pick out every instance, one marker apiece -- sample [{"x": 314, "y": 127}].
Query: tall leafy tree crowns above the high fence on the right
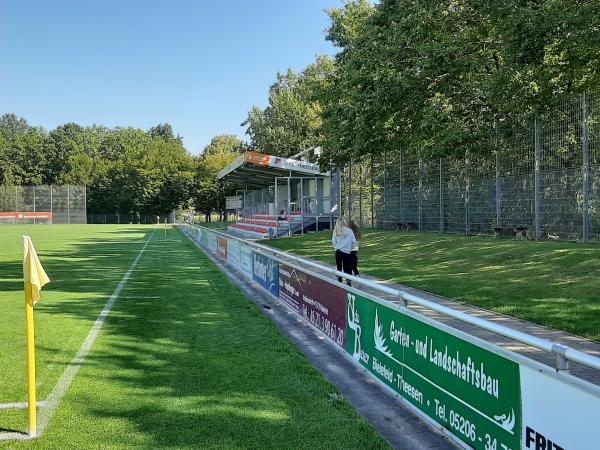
[{"x": 430, "y": 75}]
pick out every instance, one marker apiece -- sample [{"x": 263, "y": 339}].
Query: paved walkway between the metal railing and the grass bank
[{"x": 576, "y": 342}]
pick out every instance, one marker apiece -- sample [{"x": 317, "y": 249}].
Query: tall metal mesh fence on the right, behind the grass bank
[{"x": 536, "y": 176}]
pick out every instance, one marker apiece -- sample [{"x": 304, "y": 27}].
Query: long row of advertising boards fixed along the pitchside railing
[{"x": 481, "y": 395}]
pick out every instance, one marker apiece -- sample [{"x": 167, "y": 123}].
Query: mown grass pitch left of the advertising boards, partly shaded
[{"x": 183, "y": 361}]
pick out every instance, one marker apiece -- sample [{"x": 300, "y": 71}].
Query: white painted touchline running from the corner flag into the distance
[{"x": 64, "y": 382}]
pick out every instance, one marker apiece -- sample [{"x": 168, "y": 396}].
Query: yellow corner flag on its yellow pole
[{"x": 34, "y": 278}]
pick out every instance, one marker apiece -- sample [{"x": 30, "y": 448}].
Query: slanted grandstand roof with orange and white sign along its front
[{"x": 260, "y": 170}]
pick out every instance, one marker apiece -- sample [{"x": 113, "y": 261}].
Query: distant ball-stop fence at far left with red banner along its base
[{"x": 42, "y": 204}]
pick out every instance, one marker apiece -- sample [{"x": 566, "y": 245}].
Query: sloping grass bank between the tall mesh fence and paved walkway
[{"x": 556, "y": 284}]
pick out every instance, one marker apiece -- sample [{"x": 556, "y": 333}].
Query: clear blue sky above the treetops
[{"x": 198, "y": 65}]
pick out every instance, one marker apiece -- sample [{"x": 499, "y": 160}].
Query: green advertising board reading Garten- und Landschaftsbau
[{"x": 472, "y": 392}]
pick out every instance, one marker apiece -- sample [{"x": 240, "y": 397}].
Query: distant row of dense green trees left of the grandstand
[{"x": 124, "y": 169}]
